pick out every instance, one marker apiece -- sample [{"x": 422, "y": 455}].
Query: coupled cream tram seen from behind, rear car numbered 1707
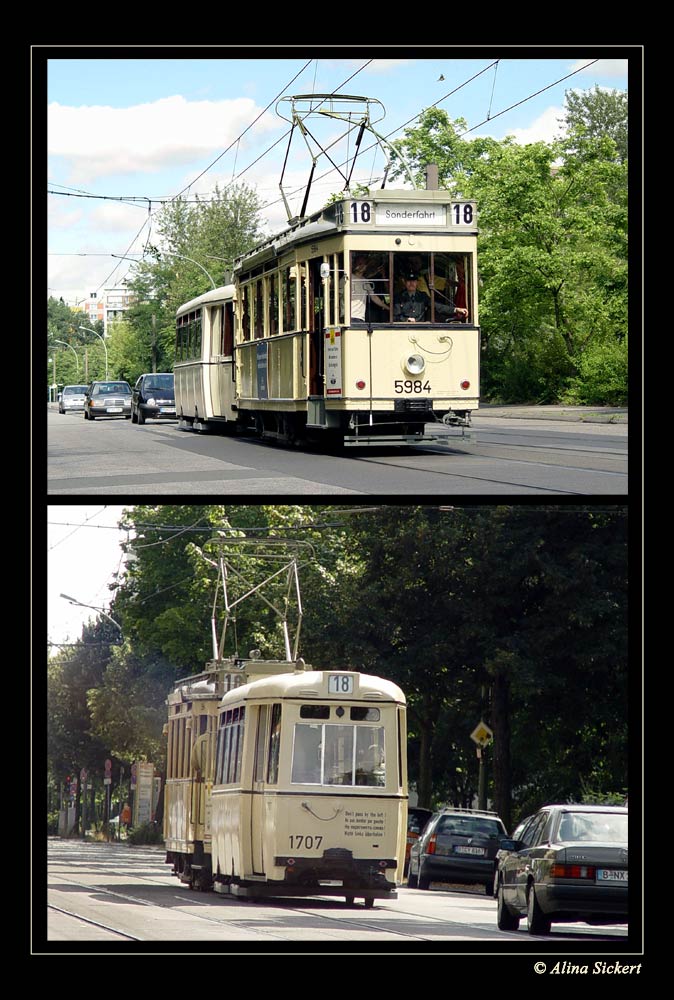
[{"x": 301, "y": 791}]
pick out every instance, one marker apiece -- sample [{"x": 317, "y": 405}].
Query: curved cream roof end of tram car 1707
[{"x": 306, "y": 684}]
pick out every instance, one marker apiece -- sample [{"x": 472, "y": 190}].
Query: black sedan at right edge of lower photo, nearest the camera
[{"x": 568, "y": 863}]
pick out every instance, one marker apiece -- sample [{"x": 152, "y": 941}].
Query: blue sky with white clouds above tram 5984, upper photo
[{"x": 133, "y": 132}]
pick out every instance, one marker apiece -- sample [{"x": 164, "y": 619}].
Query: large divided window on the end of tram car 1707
[{"x": 338, "y": 755}]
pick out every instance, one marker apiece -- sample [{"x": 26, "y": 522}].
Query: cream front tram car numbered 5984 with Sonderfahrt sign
[{"x": 323, "y": 341}]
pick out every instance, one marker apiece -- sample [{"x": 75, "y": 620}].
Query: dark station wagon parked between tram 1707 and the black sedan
[{"x": 457, "y": 845}]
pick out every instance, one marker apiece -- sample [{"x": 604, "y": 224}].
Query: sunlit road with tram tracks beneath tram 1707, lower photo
[{"x": 126, "y": 896}]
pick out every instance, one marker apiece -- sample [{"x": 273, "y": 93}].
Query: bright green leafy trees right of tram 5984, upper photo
[{"x": 552, "y": 246}]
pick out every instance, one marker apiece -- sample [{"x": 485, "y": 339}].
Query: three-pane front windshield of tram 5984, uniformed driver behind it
[{"x": 409, "y": 287}]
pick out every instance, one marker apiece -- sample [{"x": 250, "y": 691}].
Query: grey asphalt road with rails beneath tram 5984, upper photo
[{"x": 543, "y": 451}]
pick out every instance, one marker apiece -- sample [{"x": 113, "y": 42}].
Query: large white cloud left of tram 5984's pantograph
[{"x": 100, "y": 141}]
